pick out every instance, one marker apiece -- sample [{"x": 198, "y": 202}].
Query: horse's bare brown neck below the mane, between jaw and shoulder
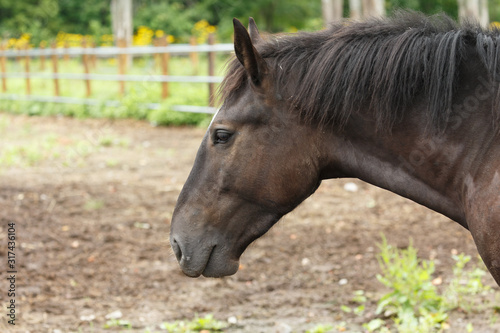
[{"x": 430, "y": 169}]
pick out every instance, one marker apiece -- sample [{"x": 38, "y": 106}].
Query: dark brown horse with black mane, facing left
[{"x": 409, "y": 104}]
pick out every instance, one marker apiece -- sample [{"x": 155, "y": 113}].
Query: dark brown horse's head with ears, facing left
[{"x": 256, "y": 163}]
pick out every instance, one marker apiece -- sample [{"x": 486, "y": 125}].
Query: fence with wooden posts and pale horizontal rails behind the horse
[{"x": 161, "y": 51}]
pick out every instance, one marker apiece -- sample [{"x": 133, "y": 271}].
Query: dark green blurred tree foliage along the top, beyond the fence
[{"x": 43, "y": 19}]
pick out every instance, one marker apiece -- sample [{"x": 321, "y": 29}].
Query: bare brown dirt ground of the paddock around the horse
[{"x": 92, "y": 201}]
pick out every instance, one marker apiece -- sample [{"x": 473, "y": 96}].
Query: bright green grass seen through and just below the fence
[{"x": 133, "y": 102}]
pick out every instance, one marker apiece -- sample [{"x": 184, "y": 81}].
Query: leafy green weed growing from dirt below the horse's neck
[{"x": 414, "y": 302}]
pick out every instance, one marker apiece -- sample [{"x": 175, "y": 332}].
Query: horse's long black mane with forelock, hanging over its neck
[{"x": 379, "y": 64}]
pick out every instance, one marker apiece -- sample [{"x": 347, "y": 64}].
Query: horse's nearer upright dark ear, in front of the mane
[{"x": 247, "y": 54}]
